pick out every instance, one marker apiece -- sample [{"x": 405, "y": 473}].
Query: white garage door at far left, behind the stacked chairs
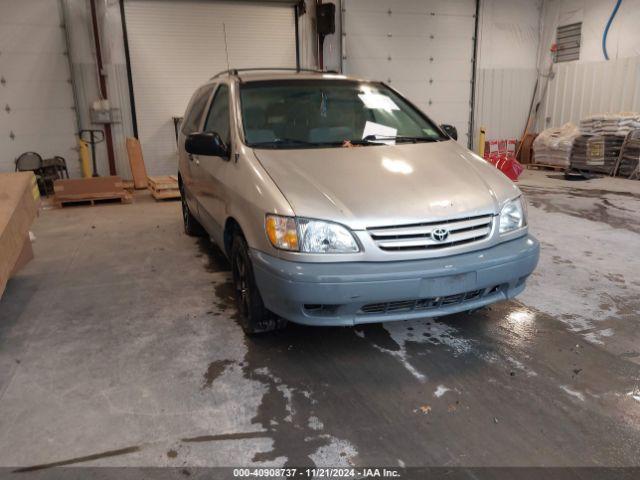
[{"x": 36, "y": 98}]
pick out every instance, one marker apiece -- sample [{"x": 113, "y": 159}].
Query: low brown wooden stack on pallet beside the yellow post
[{"x": 91, "y": 190}]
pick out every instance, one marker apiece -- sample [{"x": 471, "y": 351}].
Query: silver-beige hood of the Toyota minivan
[{"x": 387, "y": 185}]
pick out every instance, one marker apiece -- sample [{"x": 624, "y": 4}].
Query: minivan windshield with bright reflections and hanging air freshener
[{"x": 325, "y": 113}]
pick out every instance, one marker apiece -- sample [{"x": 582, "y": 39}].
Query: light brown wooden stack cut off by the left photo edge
[{"x": 19, "y": 202}]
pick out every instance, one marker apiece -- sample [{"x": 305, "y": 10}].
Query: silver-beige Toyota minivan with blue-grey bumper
[{"x": 338, "y": 202}]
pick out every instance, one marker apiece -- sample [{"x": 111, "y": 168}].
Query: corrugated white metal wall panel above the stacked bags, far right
[{"x": 579, "y": 89}]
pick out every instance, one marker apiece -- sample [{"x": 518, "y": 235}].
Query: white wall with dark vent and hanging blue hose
[{"x": 591, "y": 84}]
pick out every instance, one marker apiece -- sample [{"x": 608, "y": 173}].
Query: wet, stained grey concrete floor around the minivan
[{"x": 118, "y": 343}]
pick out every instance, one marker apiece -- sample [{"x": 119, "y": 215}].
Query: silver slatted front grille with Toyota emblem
[{"x": 419, "y": 236}]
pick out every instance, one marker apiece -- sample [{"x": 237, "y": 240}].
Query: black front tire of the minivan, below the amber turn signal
[{"x": 252, "y": 315}]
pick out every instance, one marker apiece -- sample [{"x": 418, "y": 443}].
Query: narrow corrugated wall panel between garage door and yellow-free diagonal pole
[{"x": 503, "y": 97}]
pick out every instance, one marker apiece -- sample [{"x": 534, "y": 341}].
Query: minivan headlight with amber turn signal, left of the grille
[{"x": 309, "y": 236}]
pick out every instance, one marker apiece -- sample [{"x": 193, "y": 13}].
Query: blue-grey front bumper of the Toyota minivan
[{"x": 350, "y": 293}]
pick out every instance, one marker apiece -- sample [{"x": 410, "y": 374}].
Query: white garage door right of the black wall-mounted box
[{"x": 422, "y": 48}]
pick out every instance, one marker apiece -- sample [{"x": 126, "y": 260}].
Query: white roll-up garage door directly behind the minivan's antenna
[{"x": 177, "y": 46}]
